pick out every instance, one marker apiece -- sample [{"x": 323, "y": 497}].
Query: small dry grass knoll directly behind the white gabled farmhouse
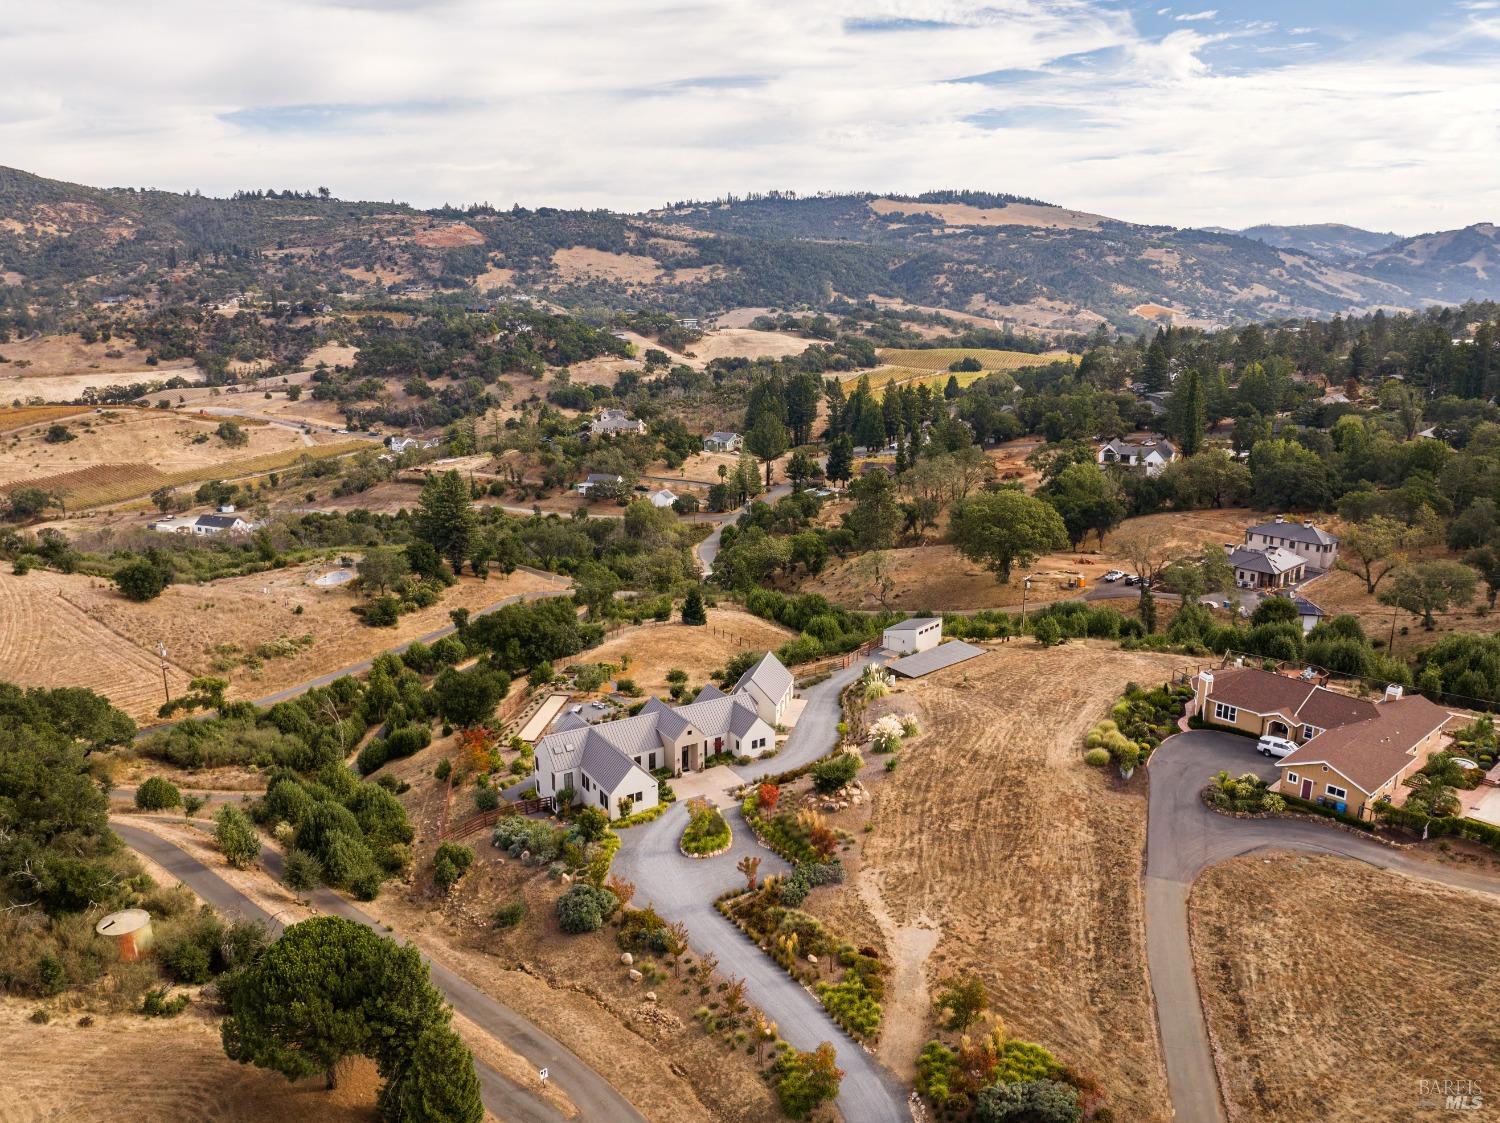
[{"x": 658, "y": 648}]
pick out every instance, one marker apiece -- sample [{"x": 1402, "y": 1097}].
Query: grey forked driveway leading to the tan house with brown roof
[{"x": 1184, "y": 839}]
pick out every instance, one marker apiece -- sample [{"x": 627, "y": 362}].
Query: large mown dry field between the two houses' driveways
[{"x": 1025, "y": 861}]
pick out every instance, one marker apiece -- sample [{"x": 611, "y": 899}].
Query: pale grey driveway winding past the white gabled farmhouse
[{"x": 685, "y": 888}]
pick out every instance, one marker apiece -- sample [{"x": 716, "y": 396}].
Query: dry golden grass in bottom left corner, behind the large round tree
[{"x": 155, "y": 1071}]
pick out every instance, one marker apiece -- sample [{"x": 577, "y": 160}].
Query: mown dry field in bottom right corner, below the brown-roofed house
[{"x": 1307, "y": 1031}]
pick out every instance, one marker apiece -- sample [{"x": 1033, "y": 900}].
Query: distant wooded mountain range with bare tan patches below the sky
[{"x": 1003, "y": 260}]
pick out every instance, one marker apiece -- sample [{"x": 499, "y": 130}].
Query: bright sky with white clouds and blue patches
[{"x": 1376, "y": 113}]
